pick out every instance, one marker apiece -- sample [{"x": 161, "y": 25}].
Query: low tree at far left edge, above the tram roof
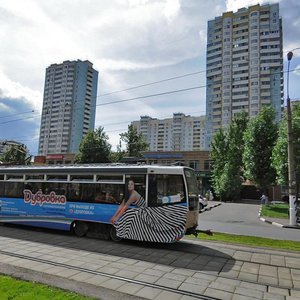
[{"x": 16, "y": 155}]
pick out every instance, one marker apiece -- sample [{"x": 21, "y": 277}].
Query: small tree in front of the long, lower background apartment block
[{"x": 135, "y": 143}]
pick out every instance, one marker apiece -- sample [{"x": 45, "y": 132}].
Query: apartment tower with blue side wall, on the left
[{"x": 69, "y": 106}]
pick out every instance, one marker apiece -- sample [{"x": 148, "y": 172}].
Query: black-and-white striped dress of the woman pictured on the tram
[{"x": 152, "y": 224}]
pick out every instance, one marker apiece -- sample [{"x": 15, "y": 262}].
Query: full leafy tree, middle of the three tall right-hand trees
[{"x": 260, "y": 138}]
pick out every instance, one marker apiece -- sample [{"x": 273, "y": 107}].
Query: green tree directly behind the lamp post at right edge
[{"x": 280, "y": 151}]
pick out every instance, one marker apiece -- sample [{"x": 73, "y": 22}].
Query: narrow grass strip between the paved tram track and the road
[{"x": 251, "y": 241}]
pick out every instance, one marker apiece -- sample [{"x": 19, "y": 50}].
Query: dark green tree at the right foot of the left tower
[{"x": 94, "y": 147}]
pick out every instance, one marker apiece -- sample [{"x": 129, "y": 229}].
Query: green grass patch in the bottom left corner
[{"x": 14, "y": 289}]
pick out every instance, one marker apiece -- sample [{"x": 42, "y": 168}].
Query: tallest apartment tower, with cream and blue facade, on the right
[{"x": 244, "y": 65}]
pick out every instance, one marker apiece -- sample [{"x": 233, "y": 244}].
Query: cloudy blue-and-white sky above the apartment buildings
[{"x": 159, "y": 45}]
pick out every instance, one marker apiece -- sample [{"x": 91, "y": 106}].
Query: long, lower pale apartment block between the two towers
[{"x": 180, "y": 133}]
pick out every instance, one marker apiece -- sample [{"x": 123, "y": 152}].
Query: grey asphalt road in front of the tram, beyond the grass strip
[{"x": 241, "y": 218}]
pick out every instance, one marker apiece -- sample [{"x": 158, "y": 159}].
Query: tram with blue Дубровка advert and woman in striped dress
[{"x": 138, "y": 202}]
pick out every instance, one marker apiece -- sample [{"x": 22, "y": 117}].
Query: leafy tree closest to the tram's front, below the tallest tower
[{"x": 226, "y": 154}]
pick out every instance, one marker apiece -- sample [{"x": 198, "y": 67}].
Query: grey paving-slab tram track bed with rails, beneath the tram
[{"x": 186, "y": 270}]
